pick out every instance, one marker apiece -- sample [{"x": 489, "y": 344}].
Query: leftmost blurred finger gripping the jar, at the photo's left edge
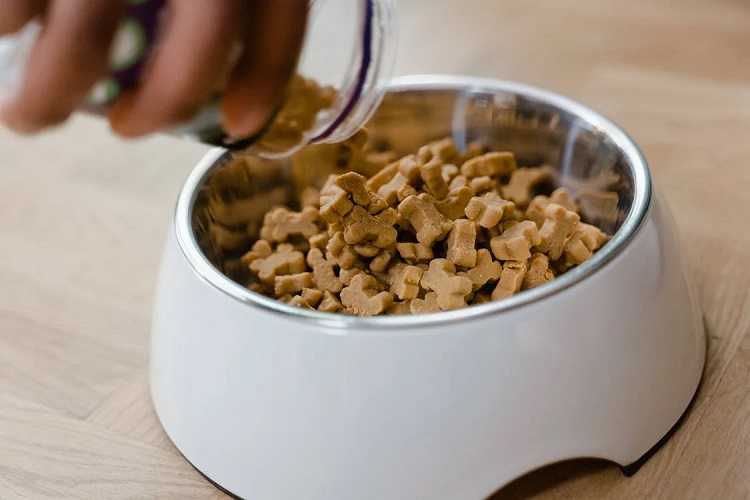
[{"x": 69, "y": 57}]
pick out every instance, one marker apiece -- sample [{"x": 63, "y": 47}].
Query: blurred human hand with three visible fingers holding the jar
[{"x": 252, "y": 44}]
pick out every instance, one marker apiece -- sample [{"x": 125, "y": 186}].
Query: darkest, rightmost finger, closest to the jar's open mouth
[{"x": 273, "y": 41}]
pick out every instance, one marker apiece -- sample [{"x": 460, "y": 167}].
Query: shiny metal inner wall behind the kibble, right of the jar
[{"x": 585, "y": 158}]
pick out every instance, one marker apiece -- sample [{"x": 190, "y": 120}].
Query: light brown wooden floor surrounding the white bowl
[{"x": 83, "y": 216}]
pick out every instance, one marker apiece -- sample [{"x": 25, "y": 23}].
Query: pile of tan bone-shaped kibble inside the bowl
[{"x": 366, "y": 233}]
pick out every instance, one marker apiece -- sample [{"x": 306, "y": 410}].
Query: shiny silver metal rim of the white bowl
[{"x": 340, "y": 323}]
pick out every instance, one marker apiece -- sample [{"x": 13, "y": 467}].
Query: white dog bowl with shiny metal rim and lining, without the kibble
[{"x": 270, "y": 401}]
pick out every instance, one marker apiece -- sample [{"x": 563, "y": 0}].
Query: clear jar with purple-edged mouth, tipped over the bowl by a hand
[{"x": 346, "y": 61}]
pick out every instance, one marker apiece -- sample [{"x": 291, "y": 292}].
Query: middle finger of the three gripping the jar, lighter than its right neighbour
[{"x": 185, "y": 69}]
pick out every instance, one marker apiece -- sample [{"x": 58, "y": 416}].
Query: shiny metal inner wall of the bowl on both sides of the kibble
[{"x": 593, "y": 158}]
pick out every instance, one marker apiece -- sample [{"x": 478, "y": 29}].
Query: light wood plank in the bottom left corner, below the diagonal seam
[{"x": 48, "y": 455}]
